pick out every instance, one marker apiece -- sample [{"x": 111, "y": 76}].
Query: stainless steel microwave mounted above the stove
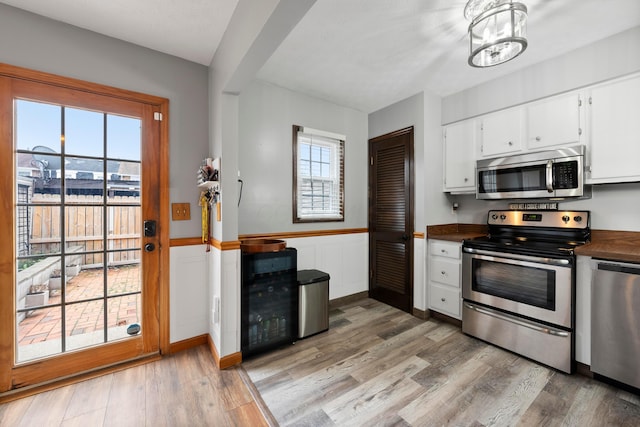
[{"x": 541, "y": 175}]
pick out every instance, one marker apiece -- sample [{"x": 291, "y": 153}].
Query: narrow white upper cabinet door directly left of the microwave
[{"x": 459, "y": 157}]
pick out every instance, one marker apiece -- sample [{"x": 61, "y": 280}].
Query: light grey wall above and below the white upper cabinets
[{"x": 613, "y": 206}]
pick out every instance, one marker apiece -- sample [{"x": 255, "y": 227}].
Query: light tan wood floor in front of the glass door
[{"x": 185, "y": 389}]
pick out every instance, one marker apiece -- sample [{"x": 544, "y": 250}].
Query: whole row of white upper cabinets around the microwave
[{"x": 605, "y": 118}]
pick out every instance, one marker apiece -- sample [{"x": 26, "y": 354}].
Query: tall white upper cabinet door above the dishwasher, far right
[{"x": 614, "y": 118}]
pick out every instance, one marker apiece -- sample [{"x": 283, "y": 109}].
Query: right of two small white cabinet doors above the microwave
[{"x": 554, "y": 121}]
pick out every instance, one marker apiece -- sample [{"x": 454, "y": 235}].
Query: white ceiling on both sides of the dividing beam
[{"x": 364, "y": 54}]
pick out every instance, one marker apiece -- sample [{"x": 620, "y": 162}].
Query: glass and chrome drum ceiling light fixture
[{"x": 497, "y": 33}]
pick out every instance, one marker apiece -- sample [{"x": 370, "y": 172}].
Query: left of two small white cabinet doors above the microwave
[{"x": 501, "y": 132}]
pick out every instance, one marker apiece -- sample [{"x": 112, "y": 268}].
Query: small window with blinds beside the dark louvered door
[{"x": 318, "y": 175}]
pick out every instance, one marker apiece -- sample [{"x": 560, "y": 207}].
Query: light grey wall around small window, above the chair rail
[{"x": 267, "y": 114}]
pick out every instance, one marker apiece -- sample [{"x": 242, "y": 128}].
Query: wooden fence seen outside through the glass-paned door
[{"x": 84, "y": 221}]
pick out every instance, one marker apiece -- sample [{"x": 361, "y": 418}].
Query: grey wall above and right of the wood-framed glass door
[{"x": 31, "y": 41}]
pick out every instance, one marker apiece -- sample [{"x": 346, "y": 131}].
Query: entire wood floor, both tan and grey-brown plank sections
[{"x": 376, "y": 366}]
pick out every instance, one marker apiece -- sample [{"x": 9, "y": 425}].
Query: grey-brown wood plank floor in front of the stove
[{"x": 378, "y": 366}]
